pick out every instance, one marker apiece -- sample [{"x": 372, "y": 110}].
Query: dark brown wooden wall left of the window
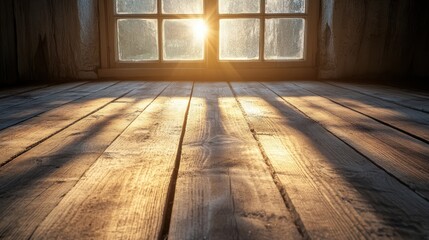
[{"x": 48, "y": 40}]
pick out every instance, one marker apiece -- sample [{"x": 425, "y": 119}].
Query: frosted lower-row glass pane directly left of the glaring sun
[{"x": 184, "y": 39}]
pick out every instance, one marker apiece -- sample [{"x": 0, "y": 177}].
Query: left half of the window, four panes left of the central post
[{"x": 144, "y": 34}]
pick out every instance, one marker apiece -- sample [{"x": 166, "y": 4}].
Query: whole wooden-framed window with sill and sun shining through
[{"x": 212, "y": 35}]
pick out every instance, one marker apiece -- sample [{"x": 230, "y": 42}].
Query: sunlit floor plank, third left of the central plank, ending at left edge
[{"x": 17, "y": 139}]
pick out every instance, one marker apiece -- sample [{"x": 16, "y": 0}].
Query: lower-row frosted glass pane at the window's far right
[{"x": 284, "y": 38}]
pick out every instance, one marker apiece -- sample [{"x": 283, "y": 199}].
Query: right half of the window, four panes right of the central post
[{"x": 263, "y": 31}]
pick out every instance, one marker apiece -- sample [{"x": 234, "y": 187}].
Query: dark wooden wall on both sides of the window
[{"x": 48, "y": 40}]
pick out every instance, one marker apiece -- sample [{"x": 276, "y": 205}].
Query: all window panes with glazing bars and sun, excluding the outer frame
[{"x": 161, "y": 31}]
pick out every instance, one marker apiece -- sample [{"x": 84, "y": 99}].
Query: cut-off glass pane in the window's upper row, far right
[{"x": 285, "y": 6}]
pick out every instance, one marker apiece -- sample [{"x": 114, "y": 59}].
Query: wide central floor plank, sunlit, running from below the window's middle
[{"x": 224, "y": 189}]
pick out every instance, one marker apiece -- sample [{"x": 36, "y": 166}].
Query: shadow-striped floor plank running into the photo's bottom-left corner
[{"x": 34, "y": 183}]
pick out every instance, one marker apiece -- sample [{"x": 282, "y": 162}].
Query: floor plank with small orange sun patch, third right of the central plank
[{"x": 413, "y": 122}]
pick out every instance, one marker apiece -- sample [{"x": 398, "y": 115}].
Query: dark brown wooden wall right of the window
[{"x": 368, "y": 39}]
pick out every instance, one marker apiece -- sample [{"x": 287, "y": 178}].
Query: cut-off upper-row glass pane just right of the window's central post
[{"x": 239, "y": 6}]
